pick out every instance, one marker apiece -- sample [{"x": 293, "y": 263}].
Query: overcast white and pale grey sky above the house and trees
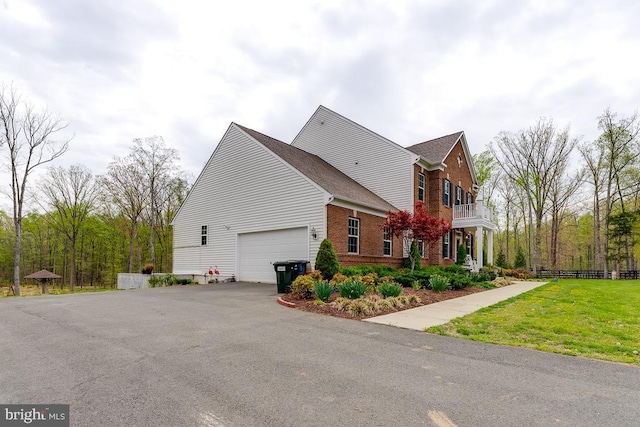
[{"x": 408, "y": 70}]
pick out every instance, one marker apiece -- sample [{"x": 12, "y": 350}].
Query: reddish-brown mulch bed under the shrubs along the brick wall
[{"x": 426, "y": 297}]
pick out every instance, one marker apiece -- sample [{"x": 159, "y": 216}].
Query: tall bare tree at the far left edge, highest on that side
[{"x": 27, "y": 143}]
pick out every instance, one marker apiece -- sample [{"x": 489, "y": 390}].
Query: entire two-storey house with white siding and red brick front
[{"x": 260, "y": 200}]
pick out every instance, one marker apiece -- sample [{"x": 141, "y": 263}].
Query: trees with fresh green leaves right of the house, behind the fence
[{"x": 566, "y": 203}]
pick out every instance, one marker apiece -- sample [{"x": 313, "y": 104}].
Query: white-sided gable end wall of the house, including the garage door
[{"x": 246, "y": 197}]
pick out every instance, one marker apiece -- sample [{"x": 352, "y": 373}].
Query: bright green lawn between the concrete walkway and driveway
[{"x": 599, "y": 319}]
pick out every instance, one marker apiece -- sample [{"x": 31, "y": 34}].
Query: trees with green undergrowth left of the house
[{"x": 84, "y": 227}]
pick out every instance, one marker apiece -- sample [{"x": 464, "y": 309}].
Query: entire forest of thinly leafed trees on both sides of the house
[{"x": 560, "y": 202}]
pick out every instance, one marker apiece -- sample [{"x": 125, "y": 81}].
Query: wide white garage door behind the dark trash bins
[{"x": 258, "y": 251}]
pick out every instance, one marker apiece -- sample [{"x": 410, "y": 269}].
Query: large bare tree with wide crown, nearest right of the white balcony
[{"x": 534, "y": 159}]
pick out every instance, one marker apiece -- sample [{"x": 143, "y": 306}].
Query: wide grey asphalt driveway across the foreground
[{"x": 228, "y": 355}]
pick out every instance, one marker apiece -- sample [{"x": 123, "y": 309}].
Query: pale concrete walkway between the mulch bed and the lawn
[{"x": 442, "y": 312}]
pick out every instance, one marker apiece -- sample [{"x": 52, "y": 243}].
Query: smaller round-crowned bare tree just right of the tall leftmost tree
[{"x": 72, "y": 195}]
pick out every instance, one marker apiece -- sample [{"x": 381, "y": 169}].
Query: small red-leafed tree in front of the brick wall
[{"x": 412, "y": 227}]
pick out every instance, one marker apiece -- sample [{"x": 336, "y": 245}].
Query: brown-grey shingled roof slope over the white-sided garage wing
[{"x": 320, "y": 172}]
